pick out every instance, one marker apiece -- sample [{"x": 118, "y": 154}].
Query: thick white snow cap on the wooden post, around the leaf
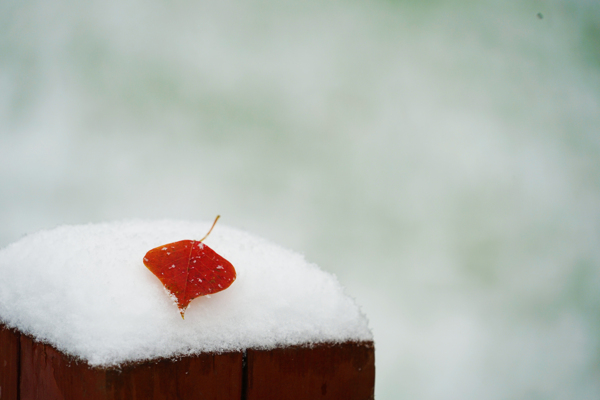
[{"x": 85, "y": 290}]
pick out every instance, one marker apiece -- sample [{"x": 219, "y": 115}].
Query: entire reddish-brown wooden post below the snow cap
[{"x": 31, "y": 370}]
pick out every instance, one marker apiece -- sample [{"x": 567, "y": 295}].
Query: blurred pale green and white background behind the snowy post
[{"x": 442, "y": 158}]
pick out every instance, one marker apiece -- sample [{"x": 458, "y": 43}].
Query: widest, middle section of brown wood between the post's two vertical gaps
[{"x": 47, "y": 374}]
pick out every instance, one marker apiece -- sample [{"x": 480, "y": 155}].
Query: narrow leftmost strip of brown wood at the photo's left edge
[{"x": 9, "y": 363}]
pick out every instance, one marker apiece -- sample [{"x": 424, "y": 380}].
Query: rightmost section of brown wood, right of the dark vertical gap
[{"x": 328, "y": 371}]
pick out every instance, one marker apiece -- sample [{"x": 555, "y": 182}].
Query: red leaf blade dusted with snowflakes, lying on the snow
[{"x": 189, "y": 269}]
